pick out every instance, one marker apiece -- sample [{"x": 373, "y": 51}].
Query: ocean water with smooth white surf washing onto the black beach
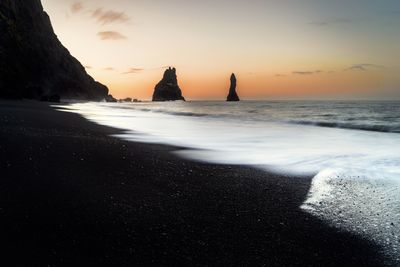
[{"x": 352, "y": 149}]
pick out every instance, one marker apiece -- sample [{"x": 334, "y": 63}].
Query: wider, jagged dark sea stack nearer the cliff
[{"x": 167, "y": 89}]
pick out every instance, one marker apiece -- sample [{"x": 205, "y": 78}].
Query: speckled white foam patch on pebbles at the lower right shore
[{"x": 360, "y": 204}]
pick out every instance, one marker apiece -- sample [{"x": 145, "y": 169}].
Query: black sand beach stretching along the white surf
[{"x": 71, "y": 195}]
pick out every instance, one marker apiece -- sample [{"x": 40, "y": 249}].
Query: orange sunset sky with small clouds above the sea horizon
[{"x": 276, "y": 48}]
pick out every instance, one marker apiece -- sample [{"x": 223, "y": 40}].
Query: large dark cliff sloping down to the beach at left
[{"x": 33, "y": 62}]
